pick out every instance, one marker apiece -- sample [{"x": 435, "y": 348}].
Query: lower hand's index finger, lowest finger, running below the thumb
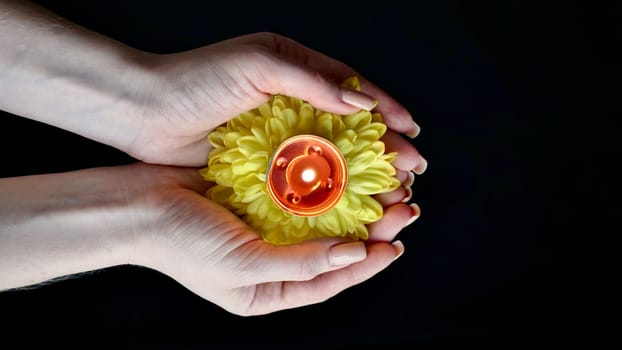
[{"x": 277, "y": 296}]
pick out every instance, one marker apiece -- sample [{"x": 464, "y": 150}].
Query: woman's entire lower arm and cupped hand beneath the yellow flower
[{"x": 157, "y": 216}]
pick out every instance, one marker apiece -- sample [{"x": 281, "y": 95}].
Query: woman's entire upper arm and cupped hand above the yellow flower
[{"x": 160, "y": 108}]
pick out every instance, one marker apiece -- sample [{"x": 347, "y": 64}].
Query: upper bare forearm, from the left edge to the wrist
[{"x": 58, "y": 73}]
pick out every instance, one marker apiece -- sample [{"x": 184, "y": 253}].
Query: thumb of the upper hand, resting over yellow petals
[{"x": 289, "y": 78}]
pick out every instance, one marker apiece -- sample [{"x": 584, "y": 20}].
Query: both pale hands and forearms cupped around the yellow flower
[{"x": 159, "y": 109}]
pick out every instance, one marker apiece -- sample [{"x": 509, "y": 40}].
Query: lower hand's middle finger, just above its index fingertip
[{"x": 394, "y": 219}]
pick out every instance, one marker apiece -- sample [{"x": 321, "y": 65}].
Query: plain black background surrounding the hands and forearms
[{"x": 520, "y": 203}]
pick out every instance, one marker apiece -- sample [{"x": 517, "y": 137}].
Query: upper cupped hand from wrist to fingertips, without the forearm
[{"x": 195, "y": 91}]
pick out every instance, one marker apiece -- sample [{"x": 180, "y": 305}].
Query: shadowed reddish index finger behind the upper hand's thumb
[{"x": 395, "y": 115}]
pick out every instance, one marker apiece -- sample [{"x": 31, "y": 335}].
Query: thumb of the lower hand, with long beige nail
[{"x": 304, "y": 261}]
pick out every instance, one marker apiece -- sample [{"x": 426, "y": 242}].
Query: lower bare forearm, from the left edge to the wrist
[{"x": 60, "y": 224}]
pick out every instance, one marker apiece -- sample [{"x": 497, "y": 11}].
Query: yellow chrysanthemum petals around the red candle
[{"x": 243, "y": 148}]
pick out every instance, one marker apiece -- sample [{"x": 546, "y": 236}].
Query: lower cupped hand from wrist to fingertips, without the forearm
[{"x": 213, "y": 253}]
